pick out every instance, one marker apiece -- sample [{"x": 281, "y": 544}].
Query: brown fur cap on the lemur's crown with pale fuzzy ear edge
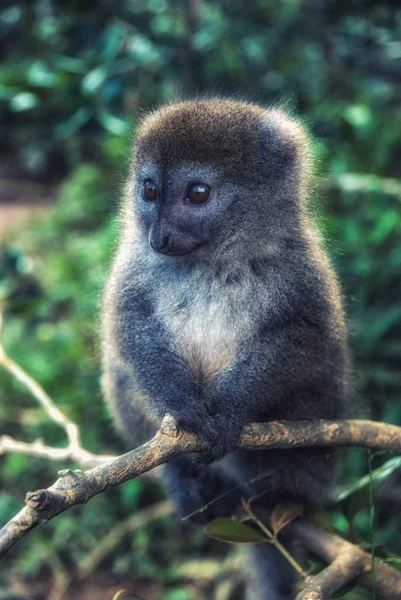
[{"x": 220, "y": 133}]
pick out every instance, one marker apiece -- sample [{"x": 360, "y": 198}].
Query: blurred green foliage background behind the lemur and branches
[{"x": 74, "y": 77}]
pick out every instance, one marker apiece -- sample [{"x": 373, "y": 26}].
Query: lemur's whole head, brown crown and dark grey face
[{"x": 203, "y": 178}]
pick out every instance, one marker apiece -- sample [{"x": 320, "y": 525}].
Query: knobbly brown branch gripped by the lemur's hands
[{"x": 77, "y": 487}]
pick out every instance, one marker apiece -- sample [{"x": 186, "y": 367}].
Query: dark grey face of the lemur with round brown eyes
[{"x": 184, "y": 209}]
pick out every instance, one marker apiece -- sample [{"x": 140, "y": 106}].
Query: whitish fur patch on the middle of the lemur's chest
[{"x": 208, "y": 323}]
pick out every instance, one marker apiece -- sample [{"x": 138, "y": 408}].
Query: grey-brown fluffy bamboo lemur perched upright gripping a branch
[{"x": 222, "y": 308}]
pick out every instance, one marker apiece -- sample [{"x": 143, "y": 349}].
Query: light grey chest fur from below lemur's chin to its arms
[{"x": 208, "y": 319}]
